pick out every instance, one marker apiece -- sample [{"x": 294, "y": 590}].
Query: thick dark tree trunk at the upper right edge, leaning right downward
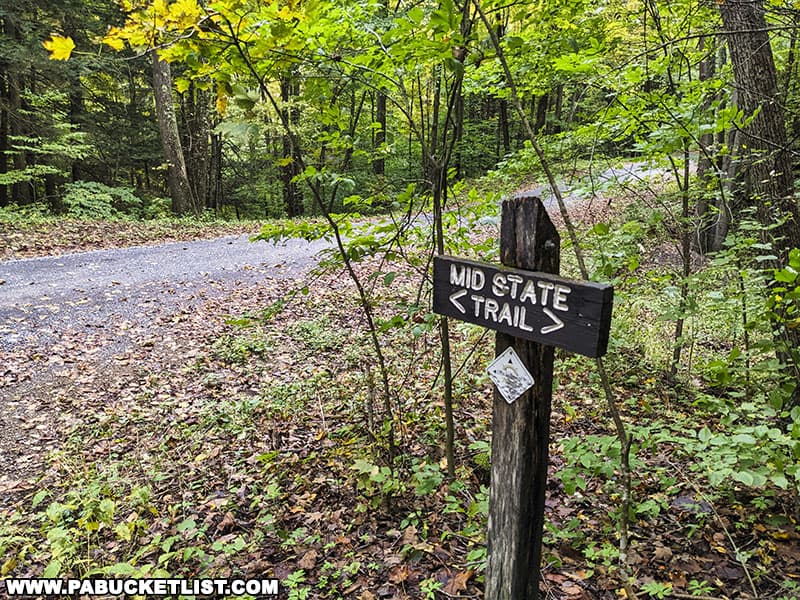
[{"x": 764, "y": 170}]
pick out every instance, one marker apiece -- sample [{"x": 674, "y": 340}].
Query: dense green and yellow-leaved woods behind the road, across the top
[{"x": 243, "y": 95}]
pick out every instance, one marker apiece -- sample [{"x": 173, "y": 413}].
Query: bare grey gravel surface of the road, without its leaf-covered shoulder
[{"x": 42, "y": 297}]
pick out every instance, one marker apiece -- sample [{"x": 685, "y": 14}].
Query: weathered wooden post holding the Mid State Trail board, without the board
[{"x": 521, "y": 430}]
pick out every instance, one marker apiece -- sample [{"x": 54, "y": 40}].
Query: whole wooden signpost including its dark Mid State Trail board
[{"x": 533, "y": 310}]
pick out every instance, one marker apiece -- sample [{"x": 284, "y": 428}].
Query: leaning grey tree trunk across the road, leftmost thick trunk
[{"x": 180, "y": 189}]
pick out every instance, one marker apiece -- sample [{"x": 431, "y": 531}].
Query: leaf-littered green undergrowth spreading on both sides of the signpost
[{"x": 268, "y": 455}]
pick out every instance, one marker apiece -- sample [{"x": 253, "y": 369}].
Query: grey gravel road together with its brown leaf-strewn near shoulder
[{"x": 74, "y": 321}]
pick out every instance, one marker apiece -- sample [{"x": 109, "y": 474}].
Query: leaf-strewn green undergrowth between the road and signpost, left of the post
[{"x": 272, "y": 466}]
